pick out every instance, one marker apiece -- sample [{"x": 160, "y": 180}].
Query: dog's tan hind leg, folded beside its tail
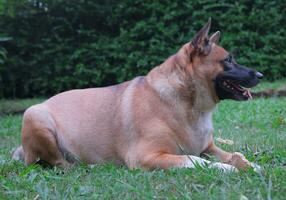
[{"x": 38, "y": 138}]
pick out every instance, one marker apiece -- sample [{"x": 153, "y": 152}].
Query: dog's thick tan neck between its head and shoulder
[{"x": 180, "y": 88}]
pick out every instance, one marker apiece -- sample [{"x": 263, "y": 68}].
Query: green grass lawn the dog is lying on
[{"x": 258, "y": 129}]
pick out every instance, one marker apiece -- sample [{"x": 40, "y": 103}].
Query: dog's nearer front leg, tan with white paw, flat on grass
[{"x": 165, "y": 161}]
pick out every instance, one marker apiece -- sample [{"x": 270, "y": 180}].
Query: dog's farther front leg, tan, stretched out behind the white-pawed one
[{"x": 236, "y": 159}]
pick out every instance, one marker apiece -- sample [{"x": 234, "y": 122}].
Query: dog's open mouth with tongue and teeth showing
[{"x": 236, "y": 89}]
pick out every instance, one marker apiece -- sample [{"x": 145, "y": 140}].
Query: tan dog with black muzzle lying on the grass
[{"x": 161, "y": 120}]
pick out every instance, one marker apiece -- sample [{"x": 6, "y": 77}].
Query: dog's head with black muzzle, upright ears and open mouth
[{"x": 226, "y": 78}]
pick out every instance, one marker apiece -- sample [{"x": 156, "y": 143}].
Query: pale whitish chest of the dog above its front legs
[{"x": 199, "y": 133}]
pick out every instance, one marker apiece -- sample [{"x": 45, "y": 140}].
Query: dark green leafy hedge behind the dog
[{"x": 58, "y": 45}]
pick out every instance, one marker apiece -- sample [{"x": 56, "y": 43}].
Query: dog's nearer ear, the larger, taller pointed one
[{"x": 201, "y": 40}]
